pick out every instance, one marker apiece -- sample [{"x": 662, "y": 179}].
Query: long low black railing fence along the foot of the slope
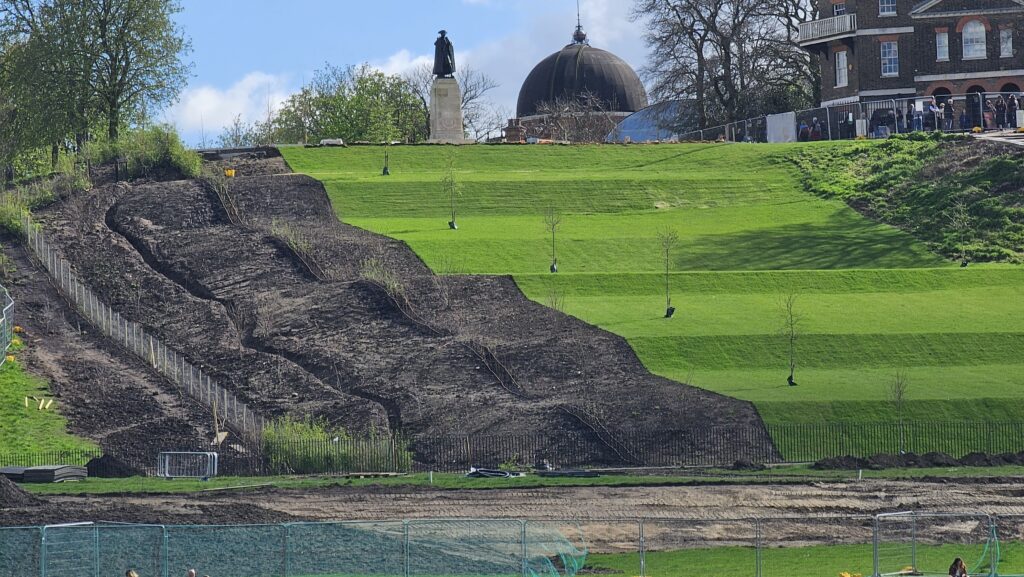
[{"x": 718, "y": 446}]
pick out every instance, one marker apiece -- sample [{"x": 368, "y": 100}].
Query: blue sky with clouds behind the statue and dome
[{"x": 251, "y": 55}]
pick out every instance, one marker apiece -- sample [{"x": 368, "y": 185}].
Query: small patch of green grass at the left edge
[{"x": 26, "y": 430}]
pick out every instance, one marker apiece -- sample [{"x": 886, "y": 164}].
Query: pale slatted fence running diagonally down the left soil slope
[{"x": 192, "y": 380}]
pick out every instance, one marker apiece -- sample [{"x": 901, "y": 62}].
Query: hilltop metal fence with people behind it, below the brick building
[{"x": 880, "y": 119}]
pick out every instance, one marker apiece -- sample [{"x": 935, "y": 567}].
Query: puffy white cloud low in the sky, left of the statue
[{"x": 208, "y": 109}]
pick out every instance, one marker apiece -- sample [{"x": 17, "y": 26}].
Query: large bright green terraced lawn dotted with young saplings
[{"x": 872, "y": 300}]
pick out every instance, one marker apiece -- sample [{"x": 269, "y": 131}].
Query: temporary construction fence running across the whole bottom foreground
[{"x": 908, "y": 544}]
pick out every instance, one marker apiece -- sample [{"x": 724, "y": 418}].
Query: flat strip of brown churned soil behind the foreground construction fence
[{"x": 607, "y": 515}]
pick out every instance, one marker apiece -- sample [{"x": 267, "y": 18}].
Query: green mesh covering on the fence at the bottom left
[{"x": 412, "y": 549}]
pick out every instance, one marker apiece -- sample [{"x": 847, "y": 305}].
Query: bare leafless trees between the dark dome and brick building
[{"x": 734, "y": 59}]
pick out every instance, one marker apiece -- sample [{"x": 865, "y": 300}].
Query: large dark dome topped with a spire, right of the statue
[{"x": 579, "y": 68}]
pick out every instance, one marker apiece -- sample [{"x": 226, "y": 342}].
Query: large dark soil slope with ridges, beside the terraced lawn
[{"x": 304, "y": 333}]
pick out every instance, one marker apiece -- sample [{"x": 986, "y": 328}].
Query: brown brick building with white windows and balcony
[{"x": 882, "y": 50}]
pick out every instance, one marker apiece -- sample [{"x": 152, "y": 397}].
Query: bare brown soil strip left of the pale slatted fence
[{"x": 107, "y": 395}]
